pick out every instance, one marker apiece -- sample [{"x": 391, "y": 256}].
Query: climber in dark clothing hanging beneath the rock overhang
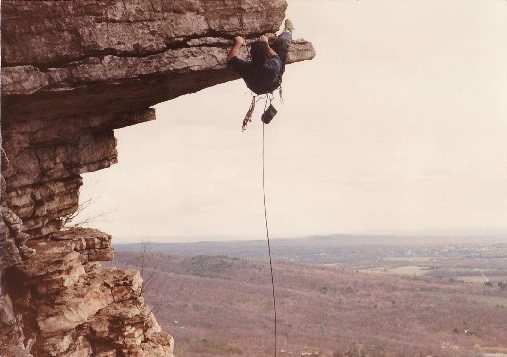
[{"x": 263, "y": 74}]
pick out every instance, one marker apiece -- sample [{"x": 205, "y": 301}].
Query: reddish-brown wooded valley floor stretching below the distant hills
[{"x": 219, "y": 305}]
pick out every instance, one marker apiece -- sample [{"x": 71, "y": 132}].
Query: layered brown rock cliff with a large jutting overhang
[{"x": 72, "y": 72}]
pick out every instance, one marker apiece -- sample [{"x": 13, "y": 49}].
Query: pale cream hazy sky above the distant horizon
[{"x": 398, "y": 125}]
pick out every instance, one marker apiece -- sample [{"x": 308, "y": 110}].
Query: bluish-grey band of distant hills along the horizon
[{"x": 322, "y": 249}]
